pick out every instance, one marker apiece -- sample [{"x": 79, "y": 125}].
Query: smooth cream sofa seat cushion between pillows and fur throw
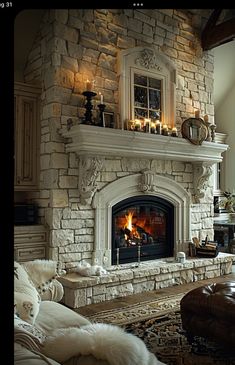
[{"x": 54, "y": 315}]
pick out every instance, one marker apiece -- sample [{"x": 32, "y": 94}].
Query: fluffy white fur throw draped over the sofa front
[{"x": 103, "y": 341}]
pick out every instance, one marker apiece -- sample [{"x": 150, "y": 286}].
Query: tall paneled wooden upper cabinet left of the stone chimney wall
[{"x": 26, "y": 134}]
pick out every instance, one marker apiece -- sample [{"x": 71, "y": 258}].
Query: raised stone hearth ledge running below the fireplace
[{"x": 149, "y": 275}]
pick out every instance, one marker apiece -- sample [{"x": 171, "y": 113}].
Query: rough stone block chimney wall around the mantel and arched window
[{"x": 75, "y": 44}]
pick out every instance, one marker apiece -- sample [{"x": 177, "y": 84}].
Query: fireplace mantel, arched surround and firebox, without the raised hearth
[{"x": 167, "y": 175}]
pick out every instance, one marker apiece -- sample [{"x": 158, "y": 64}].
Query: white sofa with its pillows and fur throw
[{"x": 47, "y": 332}]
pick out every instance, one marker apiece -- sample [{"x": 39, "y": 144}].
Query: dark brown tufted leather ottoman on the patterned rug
[{"x": 209, "y": 311}]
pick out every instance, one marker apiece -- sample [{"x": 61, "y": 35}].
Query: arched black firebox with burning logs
[{"x": 142, "y": 229}]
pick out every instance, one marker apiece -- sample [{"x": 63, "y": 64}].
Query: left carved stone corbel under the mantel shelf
[{"x": 89, "y": 168}]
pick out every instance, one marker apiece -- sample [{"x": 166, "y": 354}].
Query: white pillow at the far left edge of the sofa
[{"x": 26, "y": 297}]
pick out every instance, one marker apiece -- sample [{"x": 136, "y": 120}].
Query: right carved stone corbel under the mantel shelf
[{"x": 201, "y": 174}]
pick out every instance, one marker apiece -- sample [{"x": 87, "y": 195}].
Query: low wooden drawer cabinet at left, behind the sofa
[{"x": 30, "y": 243}]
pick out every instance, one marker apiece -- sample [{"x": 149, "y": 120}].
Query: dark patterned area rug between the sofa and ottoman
[{"x": 158, "y": 324}]
